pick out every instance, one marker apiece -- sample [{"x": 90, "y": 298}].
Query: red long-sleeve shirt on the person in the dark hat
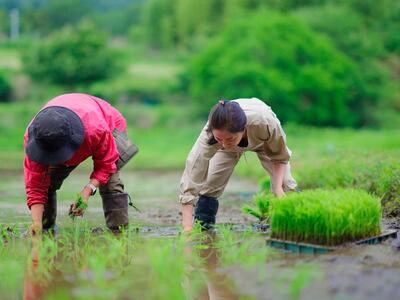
[{"x": 99, "y": 120}]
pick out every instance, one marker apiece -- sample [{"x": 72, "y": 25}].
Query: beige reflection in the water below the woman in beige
[{"x": 217, "y": 286}]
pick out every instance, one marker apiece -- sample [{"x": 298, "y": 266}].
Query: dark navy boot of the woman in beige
[{"x": 205, "y": 211}]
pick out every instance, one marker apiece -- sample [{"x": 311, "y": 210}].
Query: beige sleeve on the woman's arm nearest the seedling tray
[{"x": 275, "y": 141}]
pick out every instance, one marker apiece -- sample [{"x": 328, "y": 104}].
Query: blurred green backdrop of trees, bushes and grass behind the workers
[{"x": 329, "y": 69}]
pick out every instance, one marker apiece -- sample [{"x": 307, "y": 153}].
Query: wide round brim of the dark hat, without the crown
[{"x": 37, "y": 153}]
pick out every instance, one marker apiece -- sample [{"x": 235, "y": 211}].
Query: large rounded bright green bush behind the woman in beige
[{"x": 277, "y": 58}]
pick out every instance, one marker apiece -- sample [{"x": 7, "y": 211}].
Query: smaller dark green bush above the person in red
[{"x": 75, "y": 55}]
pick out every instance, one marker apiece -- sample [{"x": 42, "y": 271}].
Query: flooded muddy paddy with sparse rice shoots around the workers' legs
[{"x": 153, "y": 260}]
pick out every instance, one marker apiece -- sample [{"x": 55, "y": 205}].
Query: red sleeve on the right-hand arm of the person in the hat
[{"x": 105, "y": 155}]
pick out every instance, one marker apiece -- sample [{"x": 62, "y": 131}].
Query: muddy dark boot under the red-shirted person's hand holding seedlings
[{"x": 115, "y": 207}]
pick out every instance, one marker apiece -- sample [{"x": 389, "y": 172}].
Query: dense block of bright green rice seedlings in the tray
[{"x": 325, "y": 217}]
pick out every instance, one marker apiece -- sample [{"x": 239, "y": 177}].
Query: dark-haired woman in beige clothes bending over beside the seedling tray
[{"x": 233, "y": 127}]
